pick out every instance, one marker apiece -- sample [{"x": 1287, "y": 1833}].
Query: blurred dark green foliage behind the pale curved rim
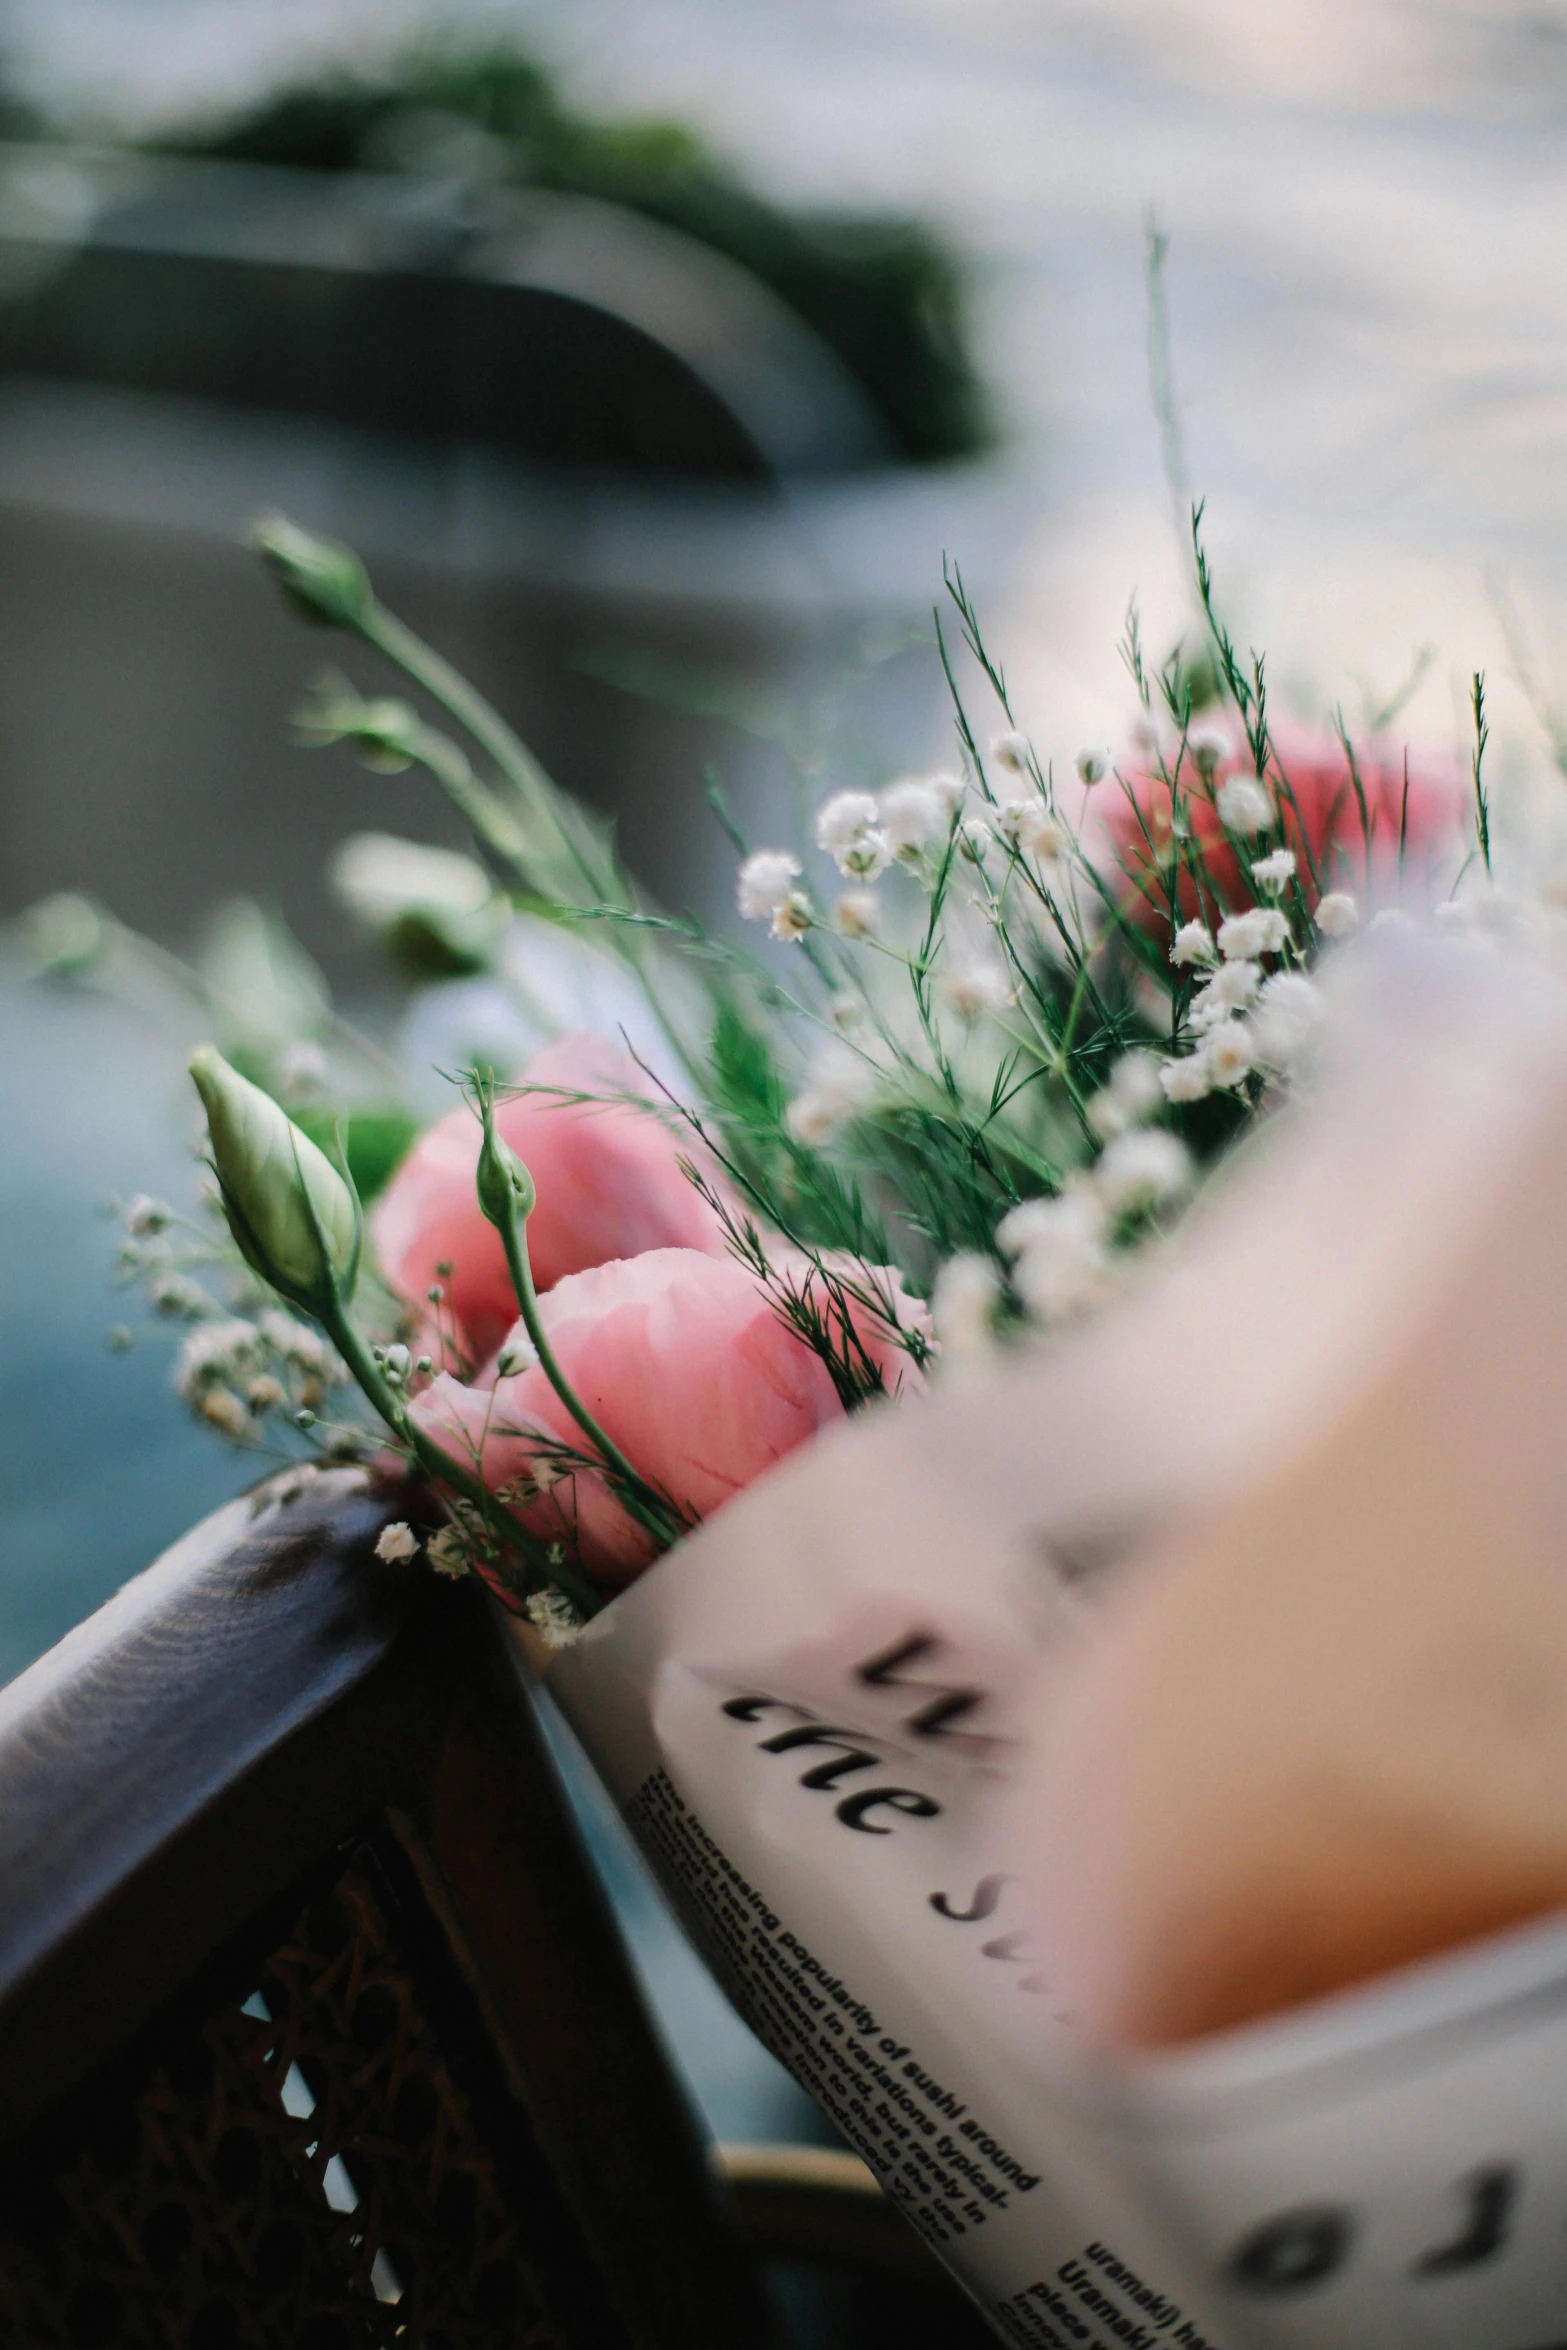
[{"x": 882, "y": 295}]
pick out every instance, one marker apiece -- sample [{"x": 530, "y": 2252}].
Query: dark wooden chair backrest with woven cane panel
[{"x": 314, "y": 2025}]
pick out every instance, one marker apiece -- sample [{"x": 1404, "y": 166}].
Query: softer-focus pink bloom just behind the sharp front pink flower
[{"x": 607, "y": 1179}]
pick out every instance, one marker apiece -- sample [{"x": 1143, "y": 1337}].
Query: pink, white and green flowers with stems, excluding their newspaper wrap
[{"x": 1016, "y": 1012}]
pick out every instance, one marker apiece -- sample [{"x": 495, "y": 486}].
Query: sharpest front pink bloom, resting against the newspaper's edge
[{"x": 687, "y": 1369}]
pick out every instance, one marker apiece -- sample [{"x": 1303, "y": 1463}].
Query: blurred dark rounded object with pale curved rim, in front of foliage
[{"x": 563, "y": 330}]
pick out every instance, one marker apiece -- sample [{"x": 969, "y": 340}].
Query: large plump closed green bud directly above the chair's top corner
[{"x": 290, "y": 1211}]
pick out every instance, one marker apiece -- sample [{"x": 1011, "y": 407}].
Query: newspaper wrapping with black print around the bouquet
[{"x": 809, "y": 1710}]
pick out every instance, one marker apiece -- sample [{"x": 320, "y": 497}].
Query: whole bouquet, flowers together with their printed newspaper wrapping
[{"x": 868, "y": 1186}]
